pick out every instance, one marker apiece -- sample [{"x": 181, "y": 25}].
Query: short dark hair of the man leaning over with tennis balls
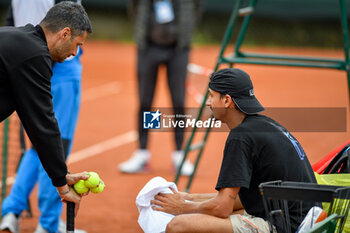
[{"x": 67, "y": 14}]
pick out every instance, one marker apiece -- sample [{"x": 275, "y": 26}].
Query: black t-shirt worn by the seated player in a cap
[{"x": 261, "y": 150}]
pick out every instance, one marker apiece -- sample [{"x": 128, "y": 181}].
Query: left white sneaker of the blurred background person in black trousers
[{"x": 137, "y": 163}]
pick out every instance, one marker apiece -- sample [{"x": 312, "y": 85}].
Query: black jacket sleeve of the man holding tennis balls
[{"x": 32, "y": 92}]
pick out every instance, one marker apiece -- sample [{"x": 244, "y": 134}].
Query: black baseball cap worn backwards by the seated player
[{"x": 237, "y": 84}]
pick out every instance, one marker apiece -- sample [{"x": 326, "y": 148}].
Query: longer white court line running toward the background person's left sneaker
[{"x": 93, "y": 150}]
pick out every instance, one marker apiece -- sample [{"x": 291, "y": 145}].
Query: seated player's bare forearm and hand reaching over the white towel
[{"x": 220, "y": 206}]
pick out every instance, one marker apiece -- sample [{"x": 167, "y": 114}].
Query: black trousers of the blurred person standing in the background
[{"x": 148, "y": 62}]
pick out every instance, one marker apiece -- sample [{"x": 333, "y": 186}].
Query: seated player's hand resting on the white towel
[{"x": 169, "y": 203}]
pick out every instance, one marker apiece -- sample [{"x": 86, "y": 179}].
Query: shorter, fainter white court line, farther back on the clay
[{"x": 101, "y": 91}]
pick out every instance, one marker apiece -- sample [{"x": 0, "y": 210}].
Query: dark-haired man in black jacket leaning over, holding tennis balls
[{"x": 26, "y": 57}]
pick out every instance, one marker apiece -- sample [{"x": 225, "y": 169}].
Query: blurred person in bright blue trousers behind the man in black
[{"x": 66, "y": 95}]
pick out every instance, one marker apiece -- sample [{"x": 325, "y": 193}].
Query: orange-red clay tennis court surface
[{"x": 106, "y": 128}]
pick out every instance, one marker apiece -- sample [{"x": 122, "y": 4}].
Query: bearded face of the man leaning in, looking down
[{"x": 68, "y": 47}]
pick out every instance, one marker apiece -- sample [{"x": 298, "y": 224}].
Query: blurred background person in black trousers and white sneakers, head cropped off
[{"x": 163, "y": 33}]
